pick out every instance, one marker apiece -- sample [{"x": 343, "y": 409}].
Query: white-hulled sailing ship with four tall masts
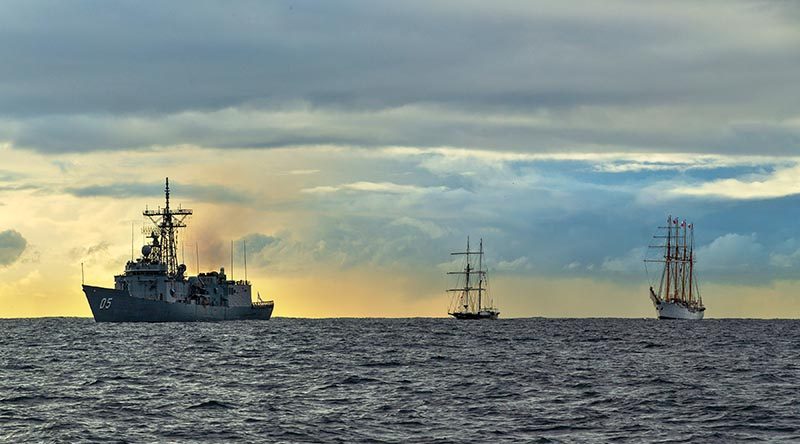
[{"x": 677, "y": 295}]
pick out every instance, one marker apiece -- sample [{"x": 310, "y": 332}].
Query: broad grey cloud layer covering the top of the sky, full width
[{"x": 84, "y": 76}]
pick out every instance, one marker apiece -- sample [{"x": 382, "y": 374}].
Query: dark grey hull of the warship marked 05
[{"x": 110, "y": 305}]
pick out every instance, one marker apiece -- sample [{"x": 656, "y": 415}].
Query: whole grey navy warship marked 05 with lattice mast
[{"x": 155, "y": 287}]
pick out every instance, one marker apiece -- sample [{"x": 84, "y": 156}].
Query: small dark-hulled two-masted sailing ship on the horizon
[{"x": 471, "y": 298}]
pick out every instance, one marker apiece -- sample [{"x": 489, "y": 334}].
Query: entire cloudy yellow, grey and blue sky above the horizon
[{"x": 354, "y": 144}]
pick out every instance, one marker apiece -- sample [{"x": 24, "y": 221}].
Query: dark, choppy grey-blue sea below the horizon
[{"x": 409, "y": 380}]
